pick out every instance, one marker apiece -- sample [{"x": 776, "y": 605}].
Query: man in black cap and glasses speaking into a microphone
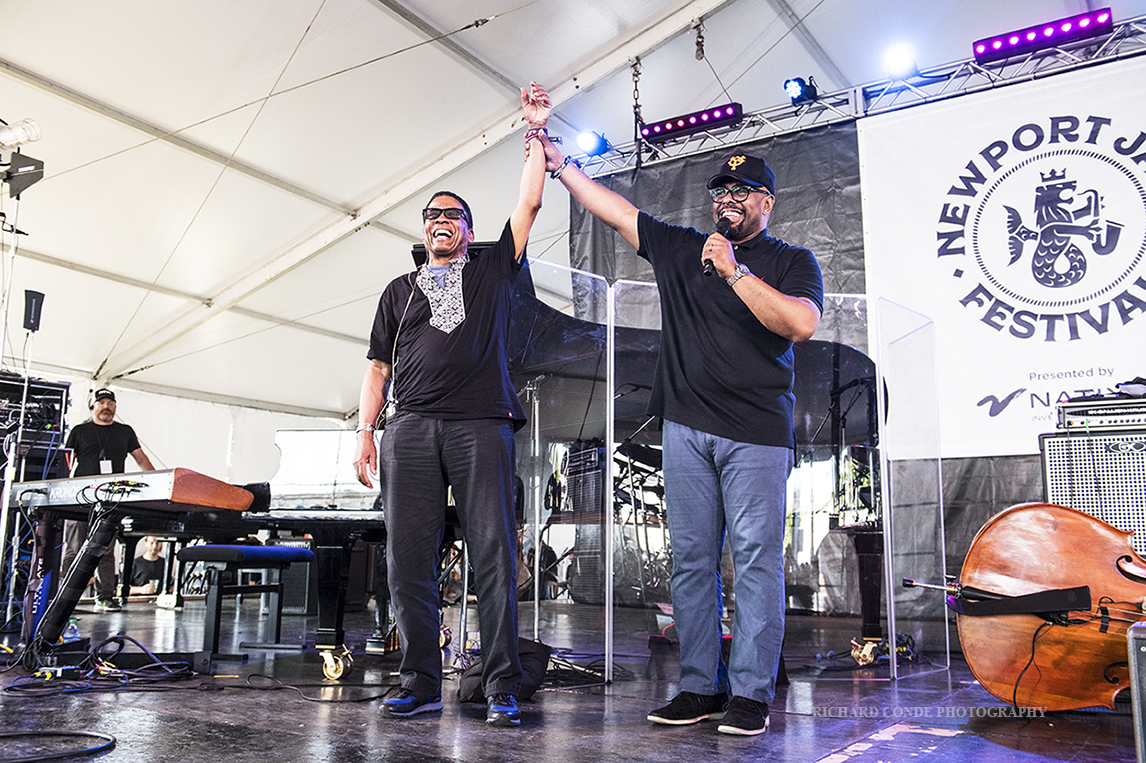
[{"x": 733, "y": 303}]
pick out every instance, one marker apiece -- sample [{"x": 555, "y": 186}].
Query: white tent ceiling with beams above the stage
[{"x": 231, "y": 184}]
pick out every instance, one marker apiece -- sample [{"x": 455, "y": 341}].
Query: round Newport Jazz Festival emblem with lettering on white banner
[{"x": 1045, "y": 232}]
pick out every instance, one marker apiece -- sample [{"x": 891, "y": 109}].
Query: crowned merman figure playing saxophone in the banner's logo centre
[{"x": 1058, "y": 262}]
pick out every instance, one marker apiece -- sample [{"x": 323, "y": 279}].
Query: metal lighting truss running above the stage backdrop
[{"x": 1126, "y": 41}]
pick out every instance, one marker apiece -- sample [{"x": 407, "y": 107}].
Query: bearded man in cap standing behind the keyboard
[{"x": 100, "y": 446}]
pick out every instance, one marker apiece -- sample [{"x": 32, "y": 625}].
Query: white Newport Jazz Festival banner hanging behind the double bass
[{"x": 1016, "y": 221}]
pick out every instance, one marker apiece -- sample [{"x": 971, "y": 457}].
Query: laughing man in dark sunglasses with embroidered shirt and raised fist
[{"x": 439, "y": 340}]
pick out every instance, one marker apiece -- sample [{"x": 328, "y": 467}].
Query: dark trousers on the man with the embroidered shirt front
[{"x": 420, "y": 457}]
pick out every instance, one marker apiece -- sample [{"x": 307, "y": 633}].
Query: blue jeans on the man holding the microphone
[{"x": 715, "y": 486}]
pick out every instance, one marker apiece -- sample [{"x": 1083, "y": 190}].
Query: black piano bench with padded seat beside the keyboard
[{"x": 223, "y": 565}]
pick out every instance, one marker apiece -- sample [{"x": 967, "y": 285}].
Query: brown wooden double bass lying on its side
[{"x": 1045, "y": 601}]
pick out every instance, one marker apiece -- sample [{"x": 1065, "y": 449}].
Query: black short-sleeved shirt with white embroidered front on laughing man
[{"x": 464, "y": 374}]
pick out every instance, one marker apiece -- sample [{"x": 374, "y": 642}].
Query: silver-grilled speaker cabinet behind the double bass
[{"x": 1101, "y": 474}]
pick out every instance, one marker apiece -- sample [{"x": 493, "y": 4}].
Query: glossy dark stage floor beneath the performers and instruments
[{"x": 261, "y": 711}]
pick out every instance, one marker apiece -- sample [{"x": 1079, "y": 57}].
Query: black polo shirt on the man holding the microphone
[{"x": 720, "y": 371}]
